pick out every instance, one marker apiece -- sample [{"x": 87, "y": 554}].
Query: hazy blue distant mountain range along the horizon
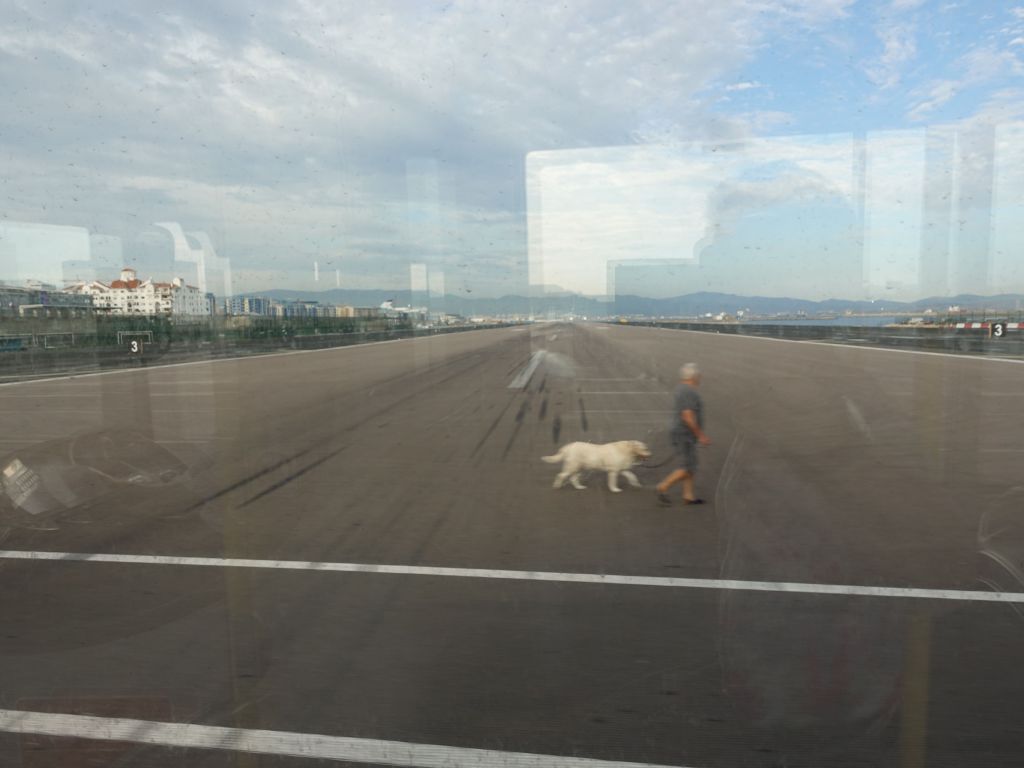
[{"x": 680, "y": 307}]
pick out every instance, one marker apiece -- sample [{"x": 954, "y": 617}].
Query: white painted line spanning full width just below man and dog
[{"x": 529, "y": 576}]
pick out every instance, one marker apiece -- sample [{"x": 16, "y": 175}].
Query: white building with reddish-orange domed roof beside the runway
[{"x": 132, "y": 296}]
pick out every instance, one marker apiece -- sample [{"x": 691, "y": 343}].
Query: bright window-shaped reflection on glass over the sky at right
[{"x": 893, "y": 216}]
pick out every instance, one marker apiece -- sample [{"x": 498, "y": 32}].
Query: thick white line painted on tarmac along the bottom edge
[{"x": 314, "y": 746}]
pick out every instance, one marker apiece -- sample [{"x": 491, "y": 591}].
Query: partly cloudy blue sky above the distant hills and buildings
[{"x": 814, "y": 149}]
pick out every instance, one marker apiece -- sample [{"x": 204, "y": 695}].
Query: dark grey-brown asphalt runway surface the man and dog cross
[{"x": 520, "y": 621}]
